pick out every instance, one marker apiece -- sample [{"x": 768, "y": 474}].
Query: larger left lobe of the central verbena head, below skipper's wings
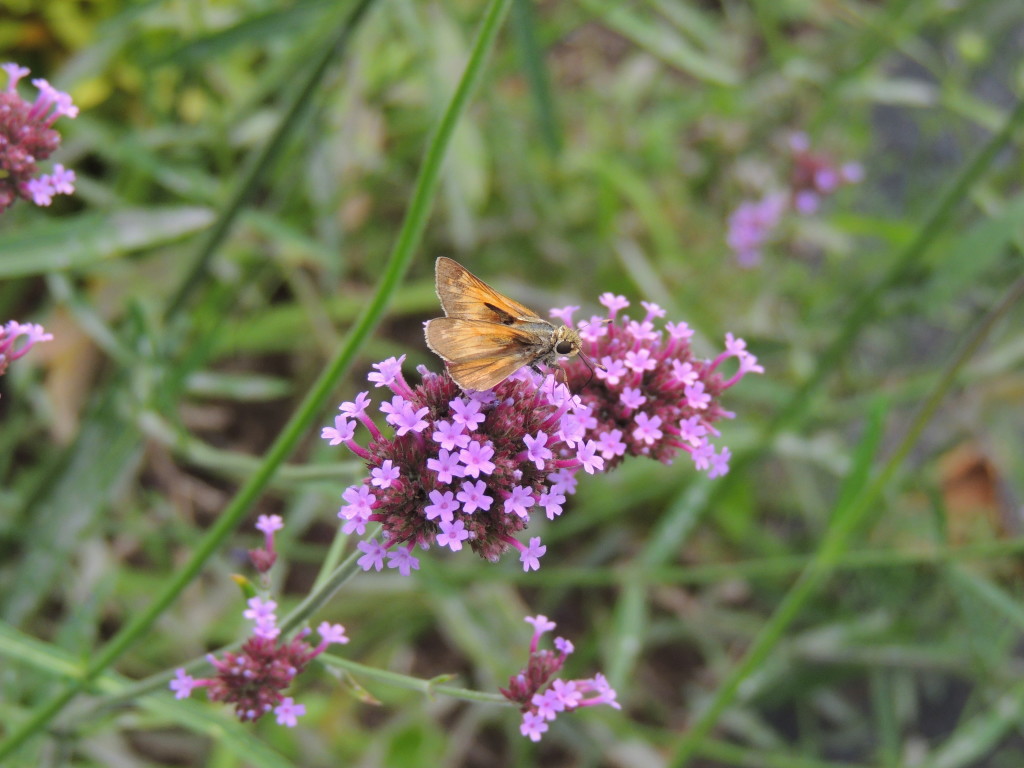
[{"x": 459, "y": 468}]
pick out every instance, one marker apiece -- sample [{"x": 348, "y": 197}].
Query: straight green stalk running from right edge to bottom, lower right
[{"x": 848, "y": 520}]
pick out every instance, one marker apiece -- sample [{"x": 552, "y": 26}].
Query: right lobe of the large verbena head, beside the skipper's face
[{"x": 652, "y": 396}]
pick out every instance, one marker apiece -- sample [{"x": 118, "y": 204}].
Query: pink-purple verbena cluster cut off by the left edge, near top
[{"x": 27, "y": 137}]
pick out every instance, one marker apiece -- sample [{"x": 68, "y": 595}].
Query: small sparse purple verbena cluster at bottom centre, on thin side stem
[{"x": 541, "y": 696}]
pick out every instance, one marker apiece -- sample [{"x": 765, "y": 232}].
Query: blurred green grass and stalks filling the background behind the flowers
[{"x": 263, "y": 191}]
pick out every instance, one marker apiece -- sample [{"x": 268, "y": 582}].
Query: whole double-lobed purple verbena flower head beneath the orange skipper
[{"x": 458, "y": 470}]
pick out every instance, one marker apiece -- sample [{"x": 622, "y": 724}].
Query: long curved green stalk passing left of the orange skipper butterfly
[{"x": 402, "y": 255}]
